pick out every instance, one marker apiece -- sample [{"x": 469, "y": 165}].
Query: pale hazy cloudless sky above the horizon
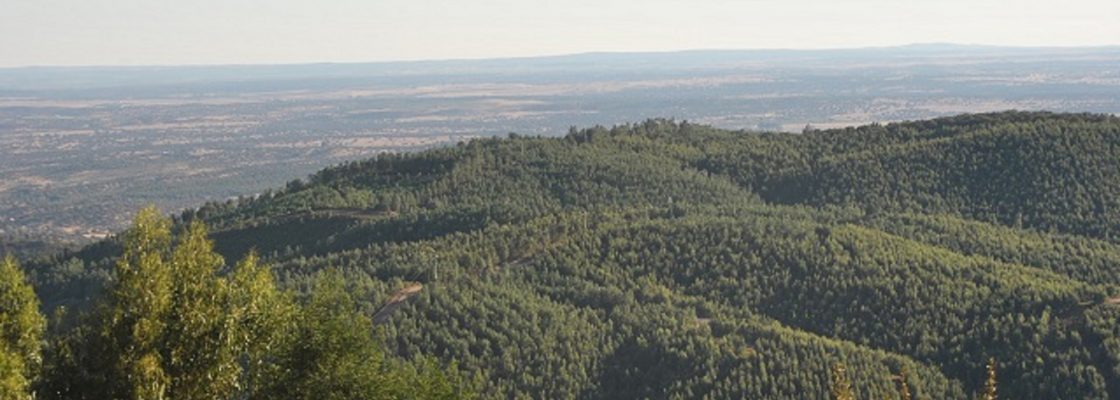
[{"x": 285, "y": 32}]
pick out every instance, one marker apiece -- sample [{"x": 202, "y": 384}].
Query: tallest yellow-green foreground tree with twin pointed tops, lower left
[{"x": 167, "y": 324}]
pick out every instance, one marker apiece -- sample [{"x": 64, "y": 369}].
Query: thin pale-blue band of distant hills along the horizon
[{"x": 52, "y": 79}]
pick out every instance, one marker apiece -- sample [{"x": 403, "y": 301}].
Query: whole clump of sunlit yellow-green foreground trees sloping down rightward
[{"x": 176, "y": 325}]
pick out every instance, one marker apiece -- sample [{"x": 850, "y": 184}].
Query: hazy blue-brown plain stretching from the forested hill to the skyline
[{"x": 81, "y": 148}]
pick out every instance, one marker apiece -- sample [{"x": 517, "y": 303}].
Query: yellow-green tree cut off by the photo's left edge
[{"x": 22, "y": 328}]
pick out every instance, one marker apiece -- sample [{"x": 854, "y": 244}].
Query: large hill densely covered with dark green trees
[{"x": 673, "y": 261}]
